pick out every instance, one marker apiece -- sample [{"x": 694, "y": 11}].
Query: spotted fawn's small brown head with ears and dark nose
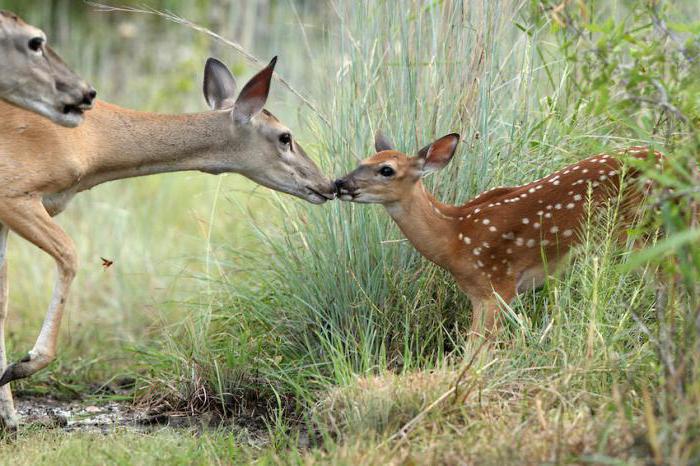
[{"x": 389, "y": 175}]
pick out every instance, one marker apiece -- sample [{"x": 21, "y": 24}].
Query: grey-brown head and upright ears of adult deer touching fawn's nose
[{"x": 265, "y": 149}]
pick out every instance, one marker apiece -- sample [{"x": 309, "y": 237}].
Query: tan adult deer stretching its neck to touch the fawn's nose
[{"x": 43, "y": 166}]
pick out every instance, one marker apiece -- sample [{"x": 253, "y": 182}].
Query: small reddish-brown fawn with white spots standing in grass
[{"x": 505, "y": 240}]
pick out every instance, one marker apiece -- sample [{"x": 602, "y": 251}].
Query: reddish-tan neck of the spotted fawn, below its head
[{"x": 425, "y": 223}]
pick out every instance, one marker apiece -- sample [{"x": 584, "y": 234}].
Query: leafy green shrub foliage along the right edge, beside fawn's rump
[{"x": 640, "y": 67}]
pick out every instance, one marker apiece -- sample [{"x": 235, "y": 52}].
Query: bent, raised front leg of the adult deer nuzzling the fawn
[{"x": 30, "y": 220}]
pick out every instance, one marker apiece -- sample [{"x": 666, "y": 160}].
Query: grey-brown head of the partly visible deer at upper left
[{"x": 34, "y": 77}]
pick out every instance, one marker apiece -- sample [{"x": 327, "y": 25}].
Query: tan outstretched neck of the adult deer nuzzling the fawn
[{"x": 130, "y": 143}]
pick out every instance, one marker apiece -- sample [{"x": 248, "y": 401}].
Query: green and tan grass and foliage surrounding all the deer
[{"x": 323, "y": 323}]
